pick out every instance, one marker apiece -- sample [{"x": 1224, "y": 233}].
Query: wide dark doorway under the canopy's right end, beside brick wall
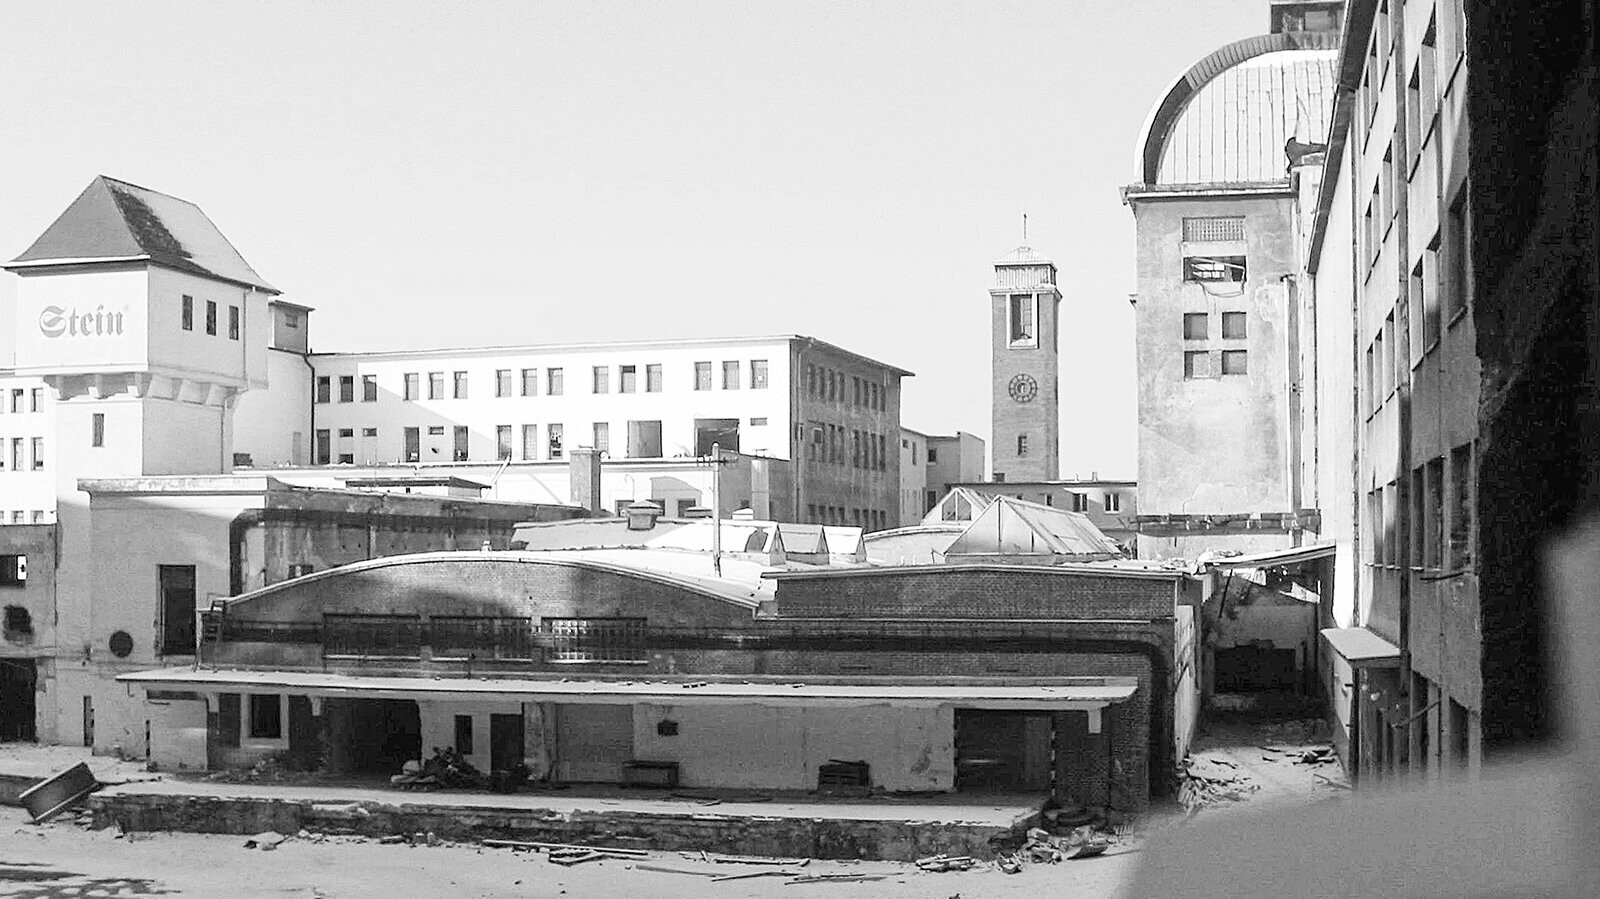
[{"x": 1002, "y": 751}]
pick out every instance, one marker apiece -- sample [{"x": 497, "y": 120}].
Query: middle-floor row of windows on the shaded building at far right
[{"x": 1434, "y": 513}]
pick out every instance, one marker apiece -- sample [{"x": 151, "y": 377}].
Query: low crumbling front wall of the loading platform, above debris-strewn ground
[{"x": 756, "y": 836}]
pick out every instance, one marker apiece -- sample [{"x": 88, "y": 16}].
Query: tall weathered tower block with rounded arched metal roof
[{"x": 1215, "y": 218}]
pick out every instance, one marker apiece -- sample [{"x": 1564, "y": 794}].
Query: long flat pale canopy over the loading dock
[{"x": 1078, "y": 693}]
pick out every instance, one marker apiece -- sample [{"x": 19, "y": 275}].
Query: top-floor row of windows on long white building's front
[{"x": 526, "y": 383}]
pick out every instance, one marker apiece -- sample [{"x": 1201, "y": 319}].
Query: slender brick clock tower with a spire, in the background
[{"x": 1026, "y": 399}]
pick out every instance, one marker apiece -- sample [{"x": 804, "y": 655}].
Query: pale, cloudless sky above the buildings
[{"x": 458, "y": 174}]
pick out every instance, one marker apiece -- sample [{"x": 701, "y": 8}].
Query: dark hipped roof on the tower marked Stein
[{"x": 114, "y": 220}]
